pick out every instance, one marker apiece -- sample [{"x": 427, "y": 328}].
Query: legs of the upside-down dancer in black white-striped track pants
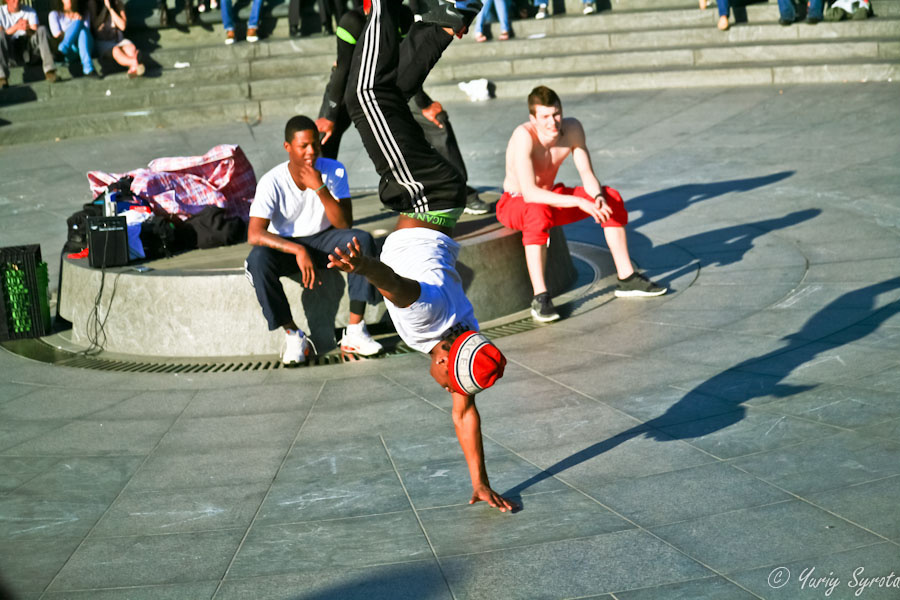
[{"x": 385, "y": 71}]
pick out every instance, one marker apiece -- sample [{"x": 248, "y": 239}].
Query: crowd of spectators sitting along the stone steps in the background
[{"x": 79, "y": 31}]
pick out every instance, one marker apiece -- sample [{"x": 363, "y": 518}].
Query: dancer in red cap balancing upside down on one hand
[{"x": 417, "y": 271}]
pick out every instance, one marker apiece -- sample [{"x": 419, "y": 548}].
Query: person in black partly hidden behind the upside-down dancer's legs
[{"x": 334, "y": 120}]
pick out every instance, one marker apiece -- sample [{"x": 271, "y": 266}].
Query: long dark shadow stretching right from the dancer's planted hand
[{"x": 724, "y": 394}]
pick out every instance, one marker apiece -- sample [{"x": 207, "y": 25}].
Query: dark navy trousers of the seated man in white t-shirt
[{"x": 264, "y": 267}]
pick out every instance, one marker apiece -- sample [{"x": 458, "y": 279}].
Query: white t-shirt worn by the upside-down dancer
[{"x": 429, "y": 257}]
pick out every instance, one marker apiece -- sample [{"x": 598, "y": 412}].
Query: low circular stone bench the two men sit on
[{"x": 200, "y": 303}]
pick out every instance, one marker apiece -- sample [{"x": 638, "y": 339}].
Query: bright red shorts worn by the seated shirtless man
[{"x": 534, "y": 220}]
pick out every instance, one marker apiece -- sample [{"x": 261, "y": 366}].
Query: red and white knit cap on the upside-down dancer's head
[{"x": 475, "y": 363}]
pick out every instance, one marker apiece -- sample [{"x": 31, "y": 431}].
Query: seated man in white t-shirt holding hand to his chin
[{"x": 301, "y": 211}]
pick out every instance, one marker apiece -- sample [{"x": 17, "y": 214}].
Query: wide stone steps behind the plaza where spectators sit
[{"x": 633, "y": 48}]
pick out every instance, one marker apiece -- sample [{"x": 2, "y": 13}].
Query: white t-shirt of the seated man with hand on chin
[{"x": 293, "y": 212}]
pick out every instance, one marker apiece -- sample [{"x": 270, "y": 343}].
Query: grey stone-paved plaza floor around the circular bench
[{"x": 737, "y": 438}]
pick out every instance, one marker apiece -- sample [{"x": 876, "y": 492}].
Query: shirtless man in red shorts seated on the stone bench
[{"x": 533, "y": 203}]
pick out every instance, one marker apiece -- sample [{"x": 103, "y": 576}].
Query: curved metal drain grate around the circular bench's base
[{"x": 38, "y": 350}]
